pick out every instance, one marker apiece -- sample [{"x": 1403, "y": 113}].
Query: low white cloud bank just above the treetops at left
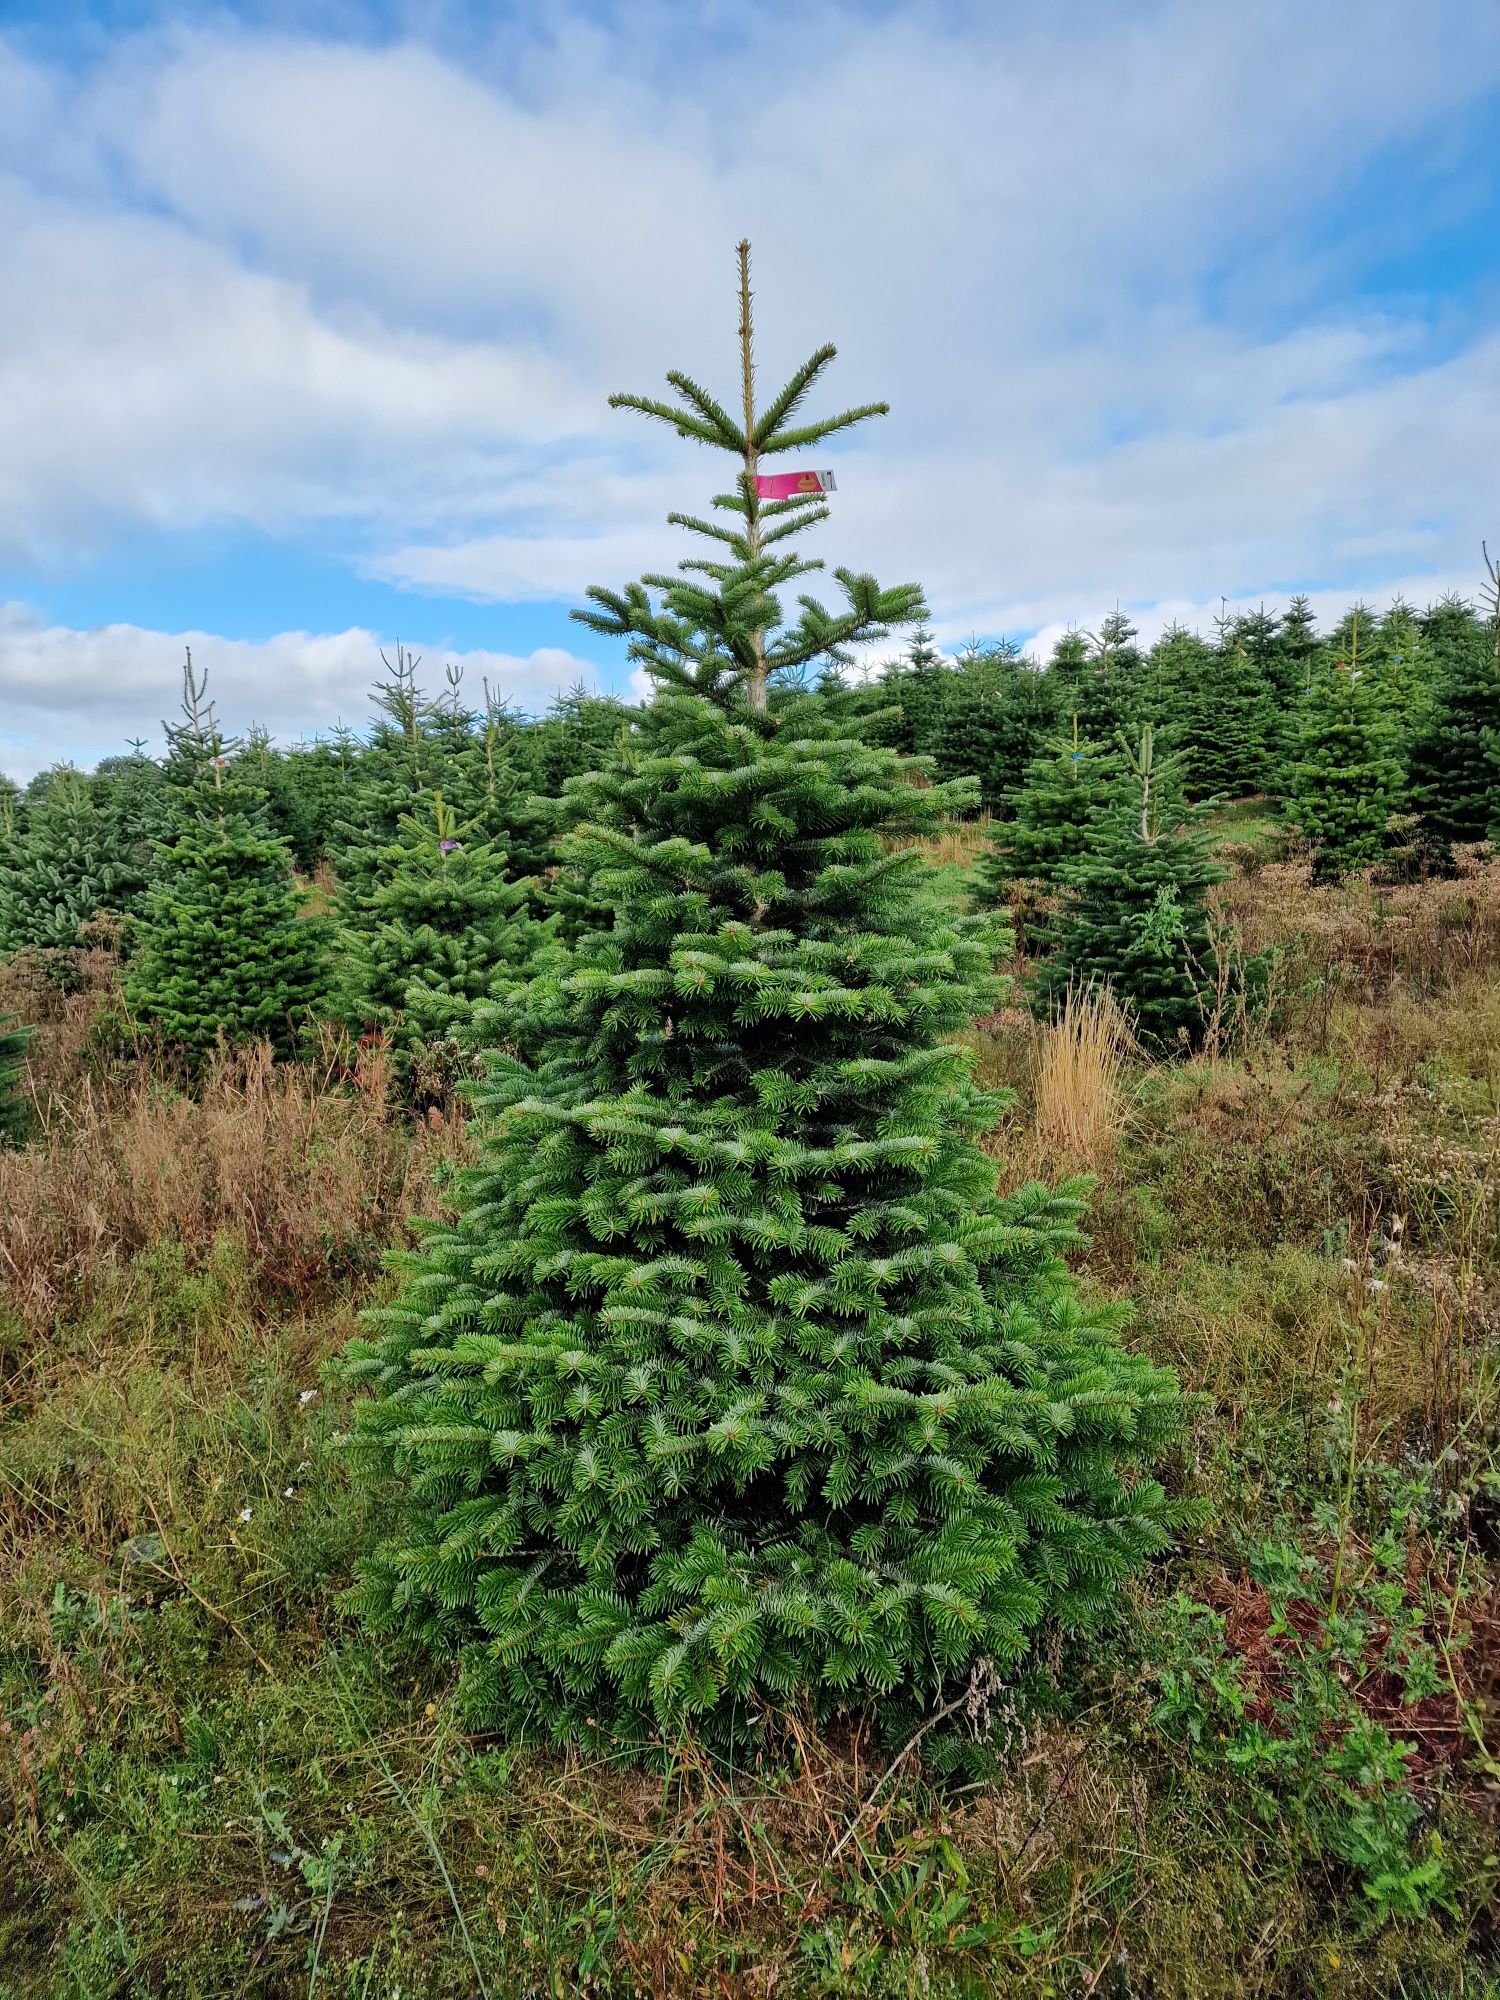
[{"x": 95, "y": 689}]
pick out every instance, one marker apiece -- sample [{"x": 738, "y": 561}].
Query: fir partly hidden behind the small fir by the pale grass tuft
[{"x": 1047, "y": 835}]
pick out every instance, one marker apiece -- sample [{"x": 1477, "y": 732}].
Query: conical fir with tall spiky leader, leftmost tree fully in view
[{"x": 221, "y": 951}]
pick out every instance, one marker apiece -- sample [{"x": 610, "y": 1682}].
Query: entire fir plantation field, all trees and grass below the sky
[{"x": 829, "y": 1335}]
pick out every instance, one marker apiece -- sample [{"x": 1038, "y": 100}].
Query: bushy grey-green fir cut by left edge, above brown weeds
[{"x": 69, "y": 861}]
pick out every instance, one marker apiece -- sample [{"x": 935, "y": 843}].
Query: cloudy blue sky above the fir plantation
[{"x": 315, "y": 313}]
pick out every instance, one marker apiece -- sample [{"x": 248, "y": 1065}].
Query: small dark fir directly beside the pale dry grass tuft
[{"x": 1137, "y": 905}]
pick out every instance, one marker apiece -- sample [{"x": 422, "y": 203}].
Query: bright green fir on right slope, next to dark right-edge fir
[{"x": 1347, "y": 779}]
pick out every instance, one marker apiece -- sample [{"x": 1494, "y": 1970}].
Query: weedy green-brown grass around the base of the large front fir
[{"x": 1273, "y": 1777}]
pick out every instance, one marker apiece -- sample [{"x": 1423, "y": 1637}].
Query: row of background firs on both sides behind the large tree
[{"x": 439, "y": 825}]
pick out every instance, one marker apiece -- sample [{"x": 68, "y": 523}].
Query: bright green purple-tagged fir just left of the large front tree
[{"x": 439, "y": 931}]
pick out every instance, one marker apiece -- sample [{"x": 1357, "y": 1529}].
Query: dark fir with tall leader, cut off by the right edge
[{"x": 1455, "y": 761}]
